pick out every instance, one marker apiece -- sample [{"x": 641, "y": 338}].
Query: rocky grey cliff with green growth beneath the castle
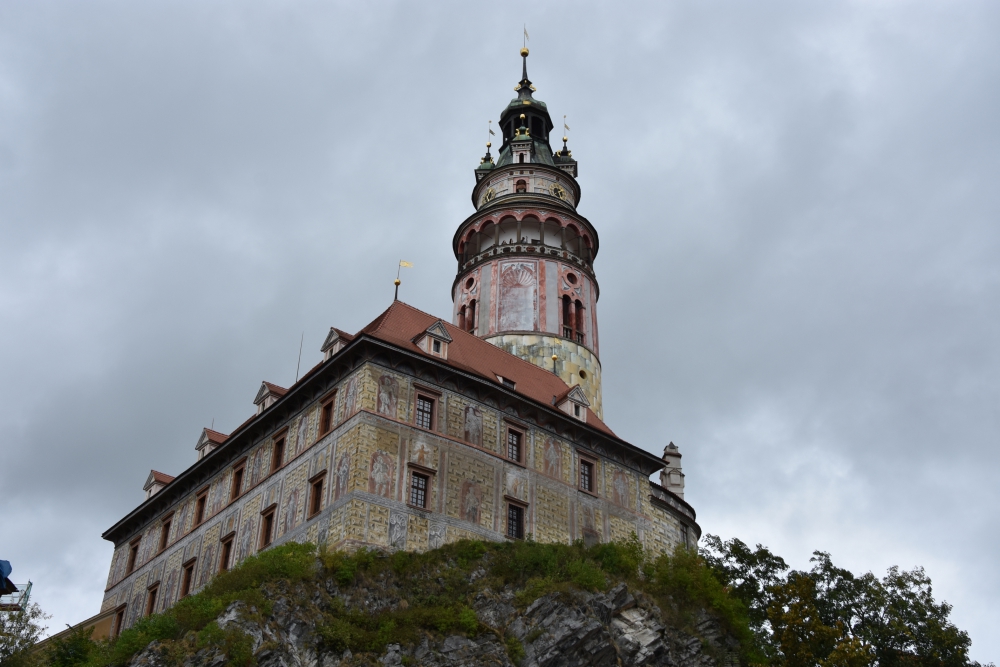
[{"x": 465, "y": 606}]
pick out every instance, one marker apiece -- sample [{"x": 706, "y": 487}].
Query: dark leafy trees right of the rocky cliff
[{"x": 828, "y": 617}]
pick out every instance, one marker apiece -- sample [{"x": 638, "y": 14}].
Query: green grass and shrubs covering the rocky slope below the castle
[{"x": 433, "y": 593}]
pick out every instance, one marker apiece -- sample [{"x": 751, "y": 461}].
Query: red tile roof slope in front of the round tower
[{"x": 401, "y": 324}]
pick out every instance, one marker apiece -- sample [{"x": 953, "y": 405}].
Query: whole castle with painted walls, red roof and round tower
[{"x": 415, "y": 432}]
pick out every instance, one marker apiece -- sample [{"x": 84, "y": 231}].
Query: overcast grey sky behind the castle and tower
[{"x": 798, "y": 209}]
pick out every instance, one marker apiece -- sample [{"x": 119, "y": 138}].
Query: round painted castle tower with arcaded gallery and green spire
[{"x": 526, "y": 278}]
